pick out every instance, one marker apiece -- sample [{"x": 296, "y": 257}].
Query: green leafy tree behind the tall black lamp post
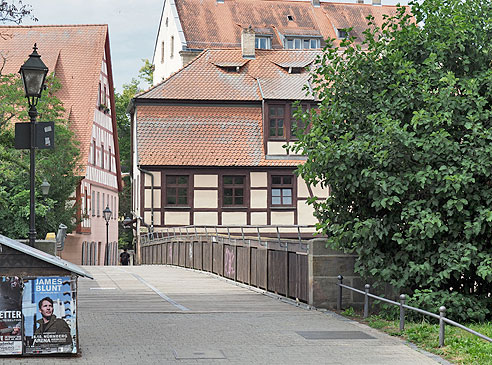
[{"x": 59, "y": 166}]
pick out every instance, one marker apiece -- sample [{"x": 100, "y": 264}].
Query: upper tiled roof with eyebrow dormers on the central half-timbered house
[{"x": 211, "y": 77}]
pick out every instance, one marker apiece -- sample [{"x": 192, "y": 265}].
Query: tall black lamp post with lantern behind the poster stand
[{"x": 33, "y": 73}]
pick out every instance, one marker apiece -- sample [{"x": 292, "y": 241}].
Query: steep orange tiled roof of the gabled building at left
[{"x": 75, "y": 53}]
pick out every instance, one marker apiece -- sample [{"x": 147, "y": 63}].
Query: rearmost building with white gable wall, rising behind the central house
[{"x": 187, "y": 27}]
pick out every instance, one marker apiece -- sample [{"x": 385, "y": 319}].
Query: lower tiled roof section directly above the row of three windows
[{"x": 170, "y": 135}]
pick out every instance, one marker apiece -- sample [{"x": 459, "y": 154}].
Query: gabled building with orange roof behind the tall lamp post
[{"x": 80, "y": 57}]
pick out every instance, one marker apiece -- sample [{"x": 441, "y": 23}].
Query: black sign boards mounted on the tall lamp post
[{"x": 45, "y": 135}]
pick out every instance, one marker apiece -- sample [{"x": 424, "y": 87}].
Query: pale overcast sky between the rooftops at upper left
[{"x": 133, "y": 26}]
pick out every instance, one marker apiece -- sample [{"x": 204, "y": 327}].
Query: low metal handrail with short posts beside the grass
[{"x": 403, "y": 306}]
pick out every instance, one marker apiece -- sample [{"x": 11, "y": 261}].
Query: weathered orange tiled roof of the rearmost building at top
[{"x": 208, "y": 24}]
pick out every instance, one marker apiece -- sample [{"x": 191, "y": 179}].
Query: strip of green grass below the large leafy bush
[{"x": 460, "y": 347}]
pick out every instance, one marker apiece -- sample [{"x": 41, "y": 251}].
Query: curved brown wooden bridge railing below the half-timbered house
[{"x": 275, "y": 264}]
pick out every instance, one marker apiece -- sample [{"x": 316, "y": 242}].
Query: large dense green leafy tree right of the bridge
[{"x": 403, "y": 139}]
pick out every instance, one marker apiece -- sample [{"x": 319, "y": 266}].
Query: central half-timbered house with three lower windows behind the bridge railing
[{"x": 209, "y": 141}]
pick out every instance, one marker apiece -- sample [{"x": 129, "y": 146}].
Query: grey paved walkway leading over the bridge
[{"x": 170, "y": 315}]
